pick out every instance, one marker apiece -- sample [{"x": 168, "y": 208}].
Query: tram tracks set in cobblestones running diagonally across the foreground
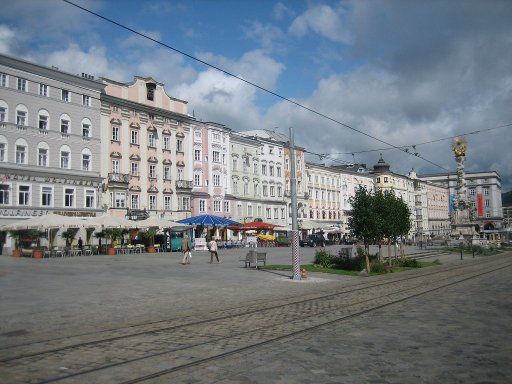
[{"x": 220, "y": 340}]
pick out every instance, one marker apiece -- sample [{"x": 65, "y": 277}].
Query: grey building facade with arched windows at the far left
[{"x": 49, "y": 141}]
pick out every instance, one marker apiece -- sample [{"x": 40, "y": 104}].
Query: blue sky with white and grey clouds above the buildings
[{"x": 404, "y": 71}]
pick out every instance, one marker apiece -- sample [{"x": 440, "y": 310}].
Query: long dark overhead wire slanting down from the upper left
[{"x": 247, "y": 81}]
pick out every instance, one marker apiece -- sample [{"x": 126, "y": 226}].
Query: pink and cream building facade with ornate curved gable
[{"x": 146, "y": 150}]
